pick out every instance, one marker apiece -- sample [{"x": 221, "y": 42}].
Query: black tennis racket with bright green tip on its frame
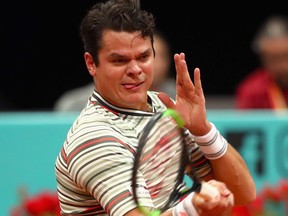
[{"x": 163, "y": 142}]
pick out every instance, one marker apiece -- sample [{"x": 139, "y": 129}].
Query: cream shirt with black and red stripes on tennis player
[{"x": 94, "y": 167}]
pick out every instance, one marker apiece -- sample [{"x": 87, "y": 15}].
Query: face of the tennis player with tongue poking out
[{"x": 125, "y": 69}]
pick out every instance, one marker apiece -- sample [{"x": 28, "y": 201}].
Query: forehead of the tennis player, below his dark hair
[{"x": 124, "y": 41}]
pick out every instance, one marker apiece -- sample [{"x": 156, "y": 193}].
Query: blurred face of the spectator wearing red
[{"x": 274, "y": 55}]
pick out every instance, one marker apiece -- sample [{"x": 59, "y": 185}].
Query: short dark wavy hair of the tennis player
[{"x": 115, "y": 15}]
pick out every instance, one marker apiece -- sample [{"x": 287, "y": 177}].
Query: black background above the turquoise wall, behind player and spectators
[{"x": 42, "y": 56}]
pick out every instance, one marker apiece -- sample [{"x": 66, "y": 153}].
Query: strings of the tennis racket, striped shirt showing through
[{"x": 165, "y": 161}]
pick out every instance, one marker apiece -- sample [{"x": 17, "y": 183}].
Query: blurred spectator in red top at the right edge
[{"x": 267, "y": 86}]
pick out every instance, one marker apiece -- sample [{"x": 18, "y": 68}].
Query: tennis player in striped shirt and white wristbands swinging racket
[{"x": 94, "y": 167}]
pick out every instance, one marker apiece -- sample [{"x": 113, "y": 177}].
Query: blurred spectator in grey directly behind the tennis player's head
[{"x": 76, "y": 99}]
